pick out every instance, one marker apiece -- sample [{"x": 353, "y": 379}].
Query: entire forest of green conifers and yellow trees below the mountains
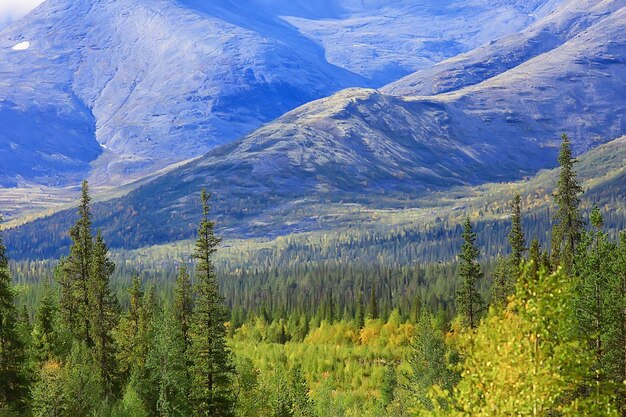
[{"x": 529, "y": 322}]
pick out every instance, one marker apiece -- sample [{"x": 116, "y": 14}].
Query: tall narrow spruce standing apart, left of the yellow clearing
[{"x": 212, "y": 369}]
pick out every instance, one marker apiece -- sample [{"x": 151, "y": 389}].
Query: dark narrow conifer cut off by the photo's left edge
[{"x": 13, "y": 376}]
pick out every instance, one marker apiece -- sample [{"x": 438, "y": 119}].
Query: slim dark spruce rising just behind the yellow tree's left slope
[{"x": 469, "y": 301}]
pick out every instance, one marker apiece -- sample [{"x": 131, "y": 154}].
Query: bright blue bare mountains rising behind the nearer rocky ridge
[{"x": 108, "y": 88}]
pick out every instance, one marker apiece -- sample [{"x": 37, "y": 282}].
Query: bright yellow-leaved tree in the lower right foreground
[{"x": 524, "y": 360}]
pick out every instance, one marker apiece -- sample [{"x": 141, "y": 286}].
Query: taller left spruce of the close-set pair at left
[{"x": 74, "y": 279}]
